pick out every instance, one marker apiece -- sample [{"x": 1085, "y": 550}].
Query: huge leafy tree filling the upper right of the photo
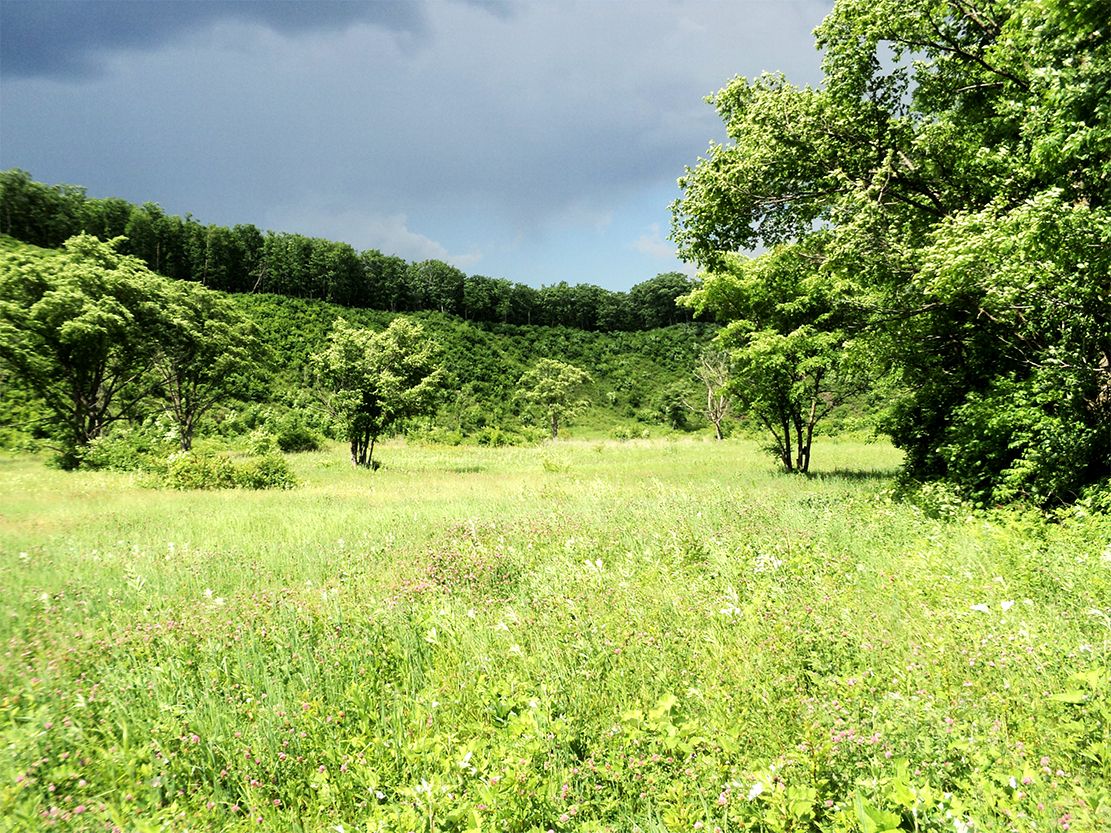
[{"x": 946, "y": 134}]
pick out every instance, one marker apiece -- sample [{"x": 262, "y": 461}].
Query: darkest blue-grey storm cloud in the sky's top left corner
[{"x": 69, "y": 38}]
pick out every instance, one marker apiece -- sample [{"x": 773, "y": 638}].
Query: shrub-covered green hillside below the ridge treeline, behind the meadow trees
[{"x": 637, "y": 376}]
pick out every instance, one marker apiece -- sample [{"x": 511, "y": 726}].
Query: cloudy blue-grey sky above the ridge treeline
[{"x": 538, "y": 142}]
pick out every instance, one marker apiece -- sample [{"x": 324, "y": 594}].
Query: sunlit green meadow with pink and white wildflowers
[{"x": 593, "y": 636}]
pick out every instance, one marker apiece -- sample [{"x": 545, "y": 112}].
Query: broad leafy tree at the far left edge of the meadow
[{"x": 79, "y": 329}]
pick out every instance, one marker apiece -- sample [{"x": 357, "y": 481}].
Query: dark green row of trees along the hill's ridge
[{"x": 245, "y": 259}]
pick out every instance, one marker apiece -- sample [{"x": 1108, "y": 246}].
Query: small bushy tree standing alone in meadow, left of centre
[{"x": 375, "y": 382}]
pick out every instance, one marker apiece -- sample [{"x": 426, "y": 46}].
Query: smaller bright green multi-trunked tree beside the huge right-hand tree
[{"x": 789, "y": 342}]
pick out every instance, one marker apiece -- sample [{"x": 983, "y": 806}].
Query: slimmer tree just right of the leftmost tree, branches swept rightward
[{"x": 205, "y": 349}]
